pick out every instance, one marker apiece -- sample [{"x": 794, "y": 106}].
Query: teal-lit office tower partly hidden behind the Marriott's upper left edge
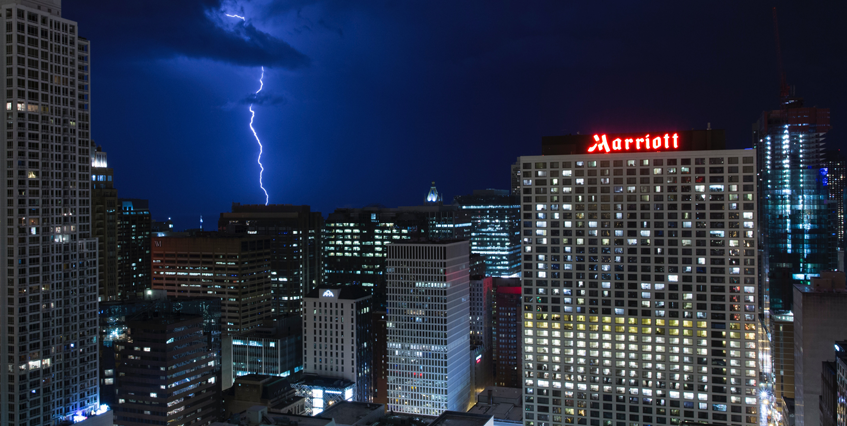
[{"x": 495, "y": 229}]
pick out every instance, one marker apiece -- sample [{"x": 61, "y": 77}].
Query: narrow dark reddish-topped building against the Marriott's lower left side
[{"x": 507, "y": 333}]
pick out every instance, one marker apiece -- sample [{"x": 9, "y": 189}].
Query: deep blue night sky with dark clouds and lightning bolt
[{"x": 368, "y": 102}]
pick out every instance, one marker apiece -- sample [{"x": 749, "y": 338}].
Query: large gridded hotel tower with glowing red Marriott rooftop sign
[{"x": 639, "y": 281}]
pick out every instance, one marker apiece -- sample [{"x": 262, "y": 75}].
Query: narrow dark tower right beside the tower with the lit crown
[{"x": 134, "y": 241}]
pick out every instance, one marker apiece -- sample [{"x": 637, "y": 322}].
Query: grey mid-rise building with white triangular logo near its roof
[{"x": 338, "y": 346}]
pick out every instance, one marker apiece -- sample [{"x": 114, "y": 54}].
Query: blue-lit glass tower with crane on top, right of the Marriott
[{"x": 797, "y": 218}]
